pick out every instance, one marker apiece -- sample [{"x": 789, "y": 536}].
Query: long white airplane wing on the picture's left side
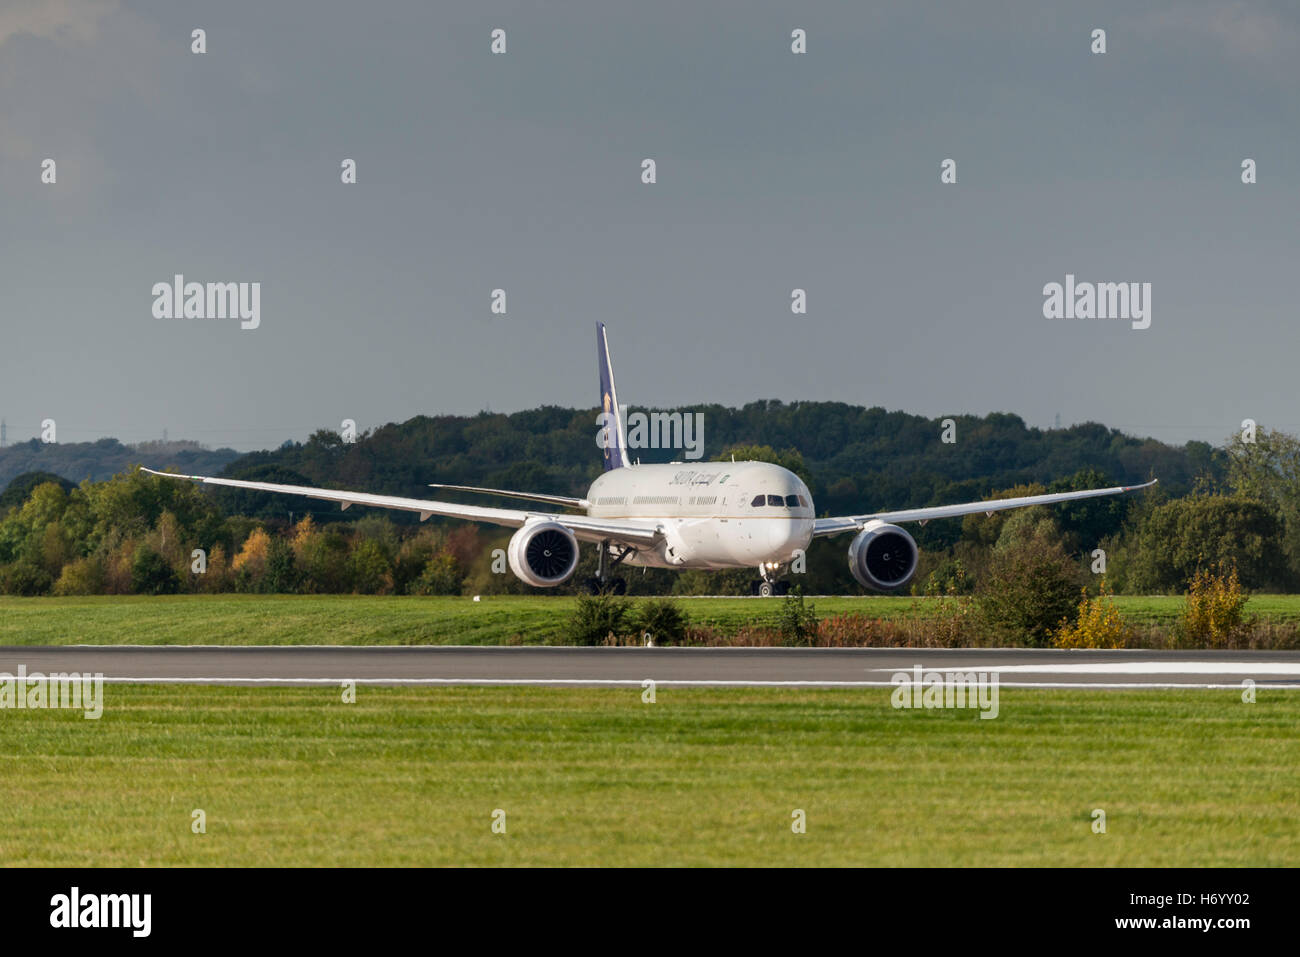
[{"x": 623, "y": 531}]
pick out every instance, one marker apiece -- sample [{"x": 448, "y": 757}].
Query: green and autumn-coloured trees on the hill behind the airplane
[{"x": 1237, "y": 504}]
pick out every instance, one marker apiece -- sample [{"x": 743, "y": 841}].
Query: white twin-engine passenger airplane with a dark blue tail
[{"x": 679, "y": 516}]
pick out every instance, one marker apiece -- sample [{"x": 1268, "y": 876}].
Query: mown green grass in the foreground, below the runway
[{"x": 704, "y": 777}]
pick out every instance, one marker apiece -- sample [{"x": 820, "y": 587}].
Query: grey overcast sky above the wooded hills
[{"x": 523, "y": 172}]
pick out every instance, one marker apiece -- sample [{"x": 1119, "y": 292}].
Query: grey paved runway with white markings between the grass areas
[{"x": 785, "y": 668}]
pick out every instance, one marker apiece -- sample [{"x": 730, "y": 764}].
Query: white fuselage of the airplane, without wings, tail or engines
[{"x": 710, "y": 513}]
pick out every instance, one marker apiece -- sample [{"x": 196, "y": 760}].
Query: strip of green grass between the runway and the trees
[{"x": 239, "y": 620}]
